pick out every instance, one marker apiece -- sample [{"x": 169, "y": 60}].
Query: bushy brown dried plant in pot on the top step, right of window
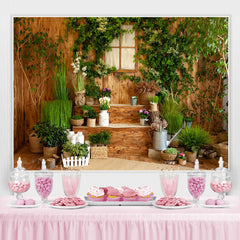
[{"x": 147, "y": 89}]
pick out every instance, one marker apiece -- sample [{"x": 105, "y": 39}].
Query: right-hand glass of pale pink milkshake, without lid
[{"x": 169, "y": 183}]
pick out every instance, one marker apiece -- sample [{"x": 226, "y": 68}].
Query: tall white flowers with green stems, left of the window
[{"x": 80, "y": 73}]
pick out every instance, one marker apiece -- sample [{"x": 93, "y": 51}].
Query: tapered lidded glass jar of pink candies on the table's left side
[{"x": 44, "y": 182}]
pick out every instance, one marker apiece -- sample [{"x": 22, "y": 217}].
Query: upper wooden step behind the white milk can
[{"x": 118, "y": 113}]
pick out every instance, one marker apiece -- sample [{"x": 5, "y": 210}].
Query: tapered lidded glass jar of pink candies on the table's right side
[{"x": 196, "y": 182}]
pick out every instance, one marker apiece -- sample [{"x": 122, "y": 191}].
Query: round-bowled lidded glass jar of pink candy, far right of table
[{"x": 221, "y": 180}]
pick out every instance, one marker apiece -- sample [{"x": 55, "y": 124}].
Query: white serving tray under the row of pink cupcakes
[{"x": 120, "y": 203}]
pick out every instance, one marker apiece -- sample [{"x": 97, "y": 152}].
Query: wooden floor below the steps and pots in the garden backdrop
[{"x": 31, "y": 162}]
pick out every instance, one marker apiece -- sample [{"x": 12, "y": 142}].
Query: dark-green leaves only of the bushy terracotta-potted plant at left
[{"x": 51, "y": 136}]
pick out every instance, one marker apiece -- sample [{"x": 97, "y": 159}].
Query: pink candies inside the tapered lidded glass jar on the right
[{"x": 196, "y": 186}]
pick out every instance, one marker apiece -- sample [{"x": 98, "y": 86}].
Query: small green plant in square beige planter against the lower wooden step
[{"x": 99, "y": 142}]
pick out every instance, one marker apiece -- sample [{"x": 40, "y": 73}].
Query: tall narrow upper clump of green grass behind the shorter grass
[{"x": 60, "y": 89}]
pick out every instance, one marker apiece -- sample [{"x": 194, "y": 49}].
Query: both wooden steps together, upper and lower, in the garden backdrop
[{"x": 128, "y": 138}]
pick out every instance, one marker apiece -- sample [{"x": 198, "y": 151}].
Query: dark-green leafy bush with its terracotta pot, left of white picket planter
[{"x": 51, "y": 137}]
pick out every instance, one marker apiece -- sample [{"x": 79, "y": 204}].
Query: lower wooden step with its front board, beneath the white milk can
[{"x": 126, "y": 139}]
